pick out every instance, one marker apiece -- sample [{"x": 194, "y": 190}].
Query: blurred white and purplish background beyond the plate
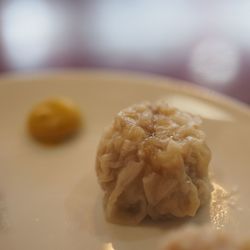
[{"x": 204, "y": 42}]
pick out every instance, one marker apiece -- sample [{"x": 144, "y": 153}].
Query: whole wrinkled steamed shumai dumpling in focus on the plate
[{"x": 153, "y": 161}]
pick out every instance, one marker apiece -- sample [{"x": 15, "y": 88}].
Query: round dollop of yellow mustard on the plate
[{"x": 54, "y": 120}]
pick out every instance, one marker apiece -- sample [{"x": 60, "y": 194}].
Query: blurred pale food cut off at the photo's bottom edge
[{"x": 203, "y": 238}]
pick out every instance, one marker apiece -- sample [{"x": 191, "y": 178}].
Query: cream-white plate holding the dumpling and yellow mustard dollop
[{"x": 50, "y": 198}]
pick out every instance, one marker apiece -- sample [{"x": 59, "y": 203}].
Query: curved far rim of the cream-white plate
[{"x": 142, "y": 78}]
